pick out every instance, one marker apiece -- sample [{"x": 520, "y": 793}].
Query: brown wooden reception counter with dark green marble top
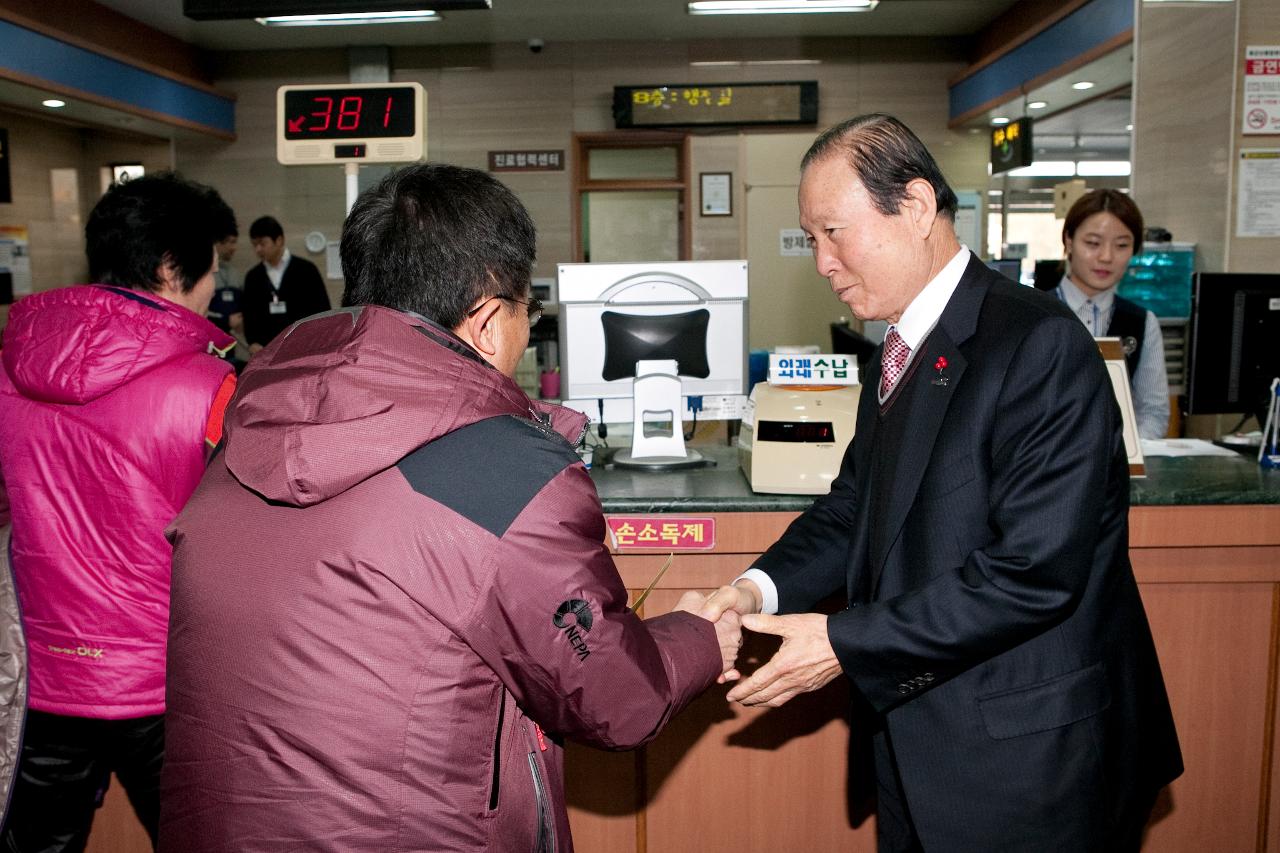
[{"x": 1205, "y": 541}]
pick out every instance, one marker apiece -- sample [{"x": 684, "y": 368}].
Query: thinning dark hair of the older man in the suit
[{"x": 886, "y": 157}]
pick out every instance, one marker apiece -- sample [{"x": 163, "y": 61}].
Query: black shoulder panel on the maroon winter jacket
[{"x": 488, "y": 472}]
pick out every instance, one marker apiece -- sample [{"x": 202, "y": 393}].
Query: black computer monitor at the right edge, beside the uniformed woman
[{"x": 1235, "y": 343}]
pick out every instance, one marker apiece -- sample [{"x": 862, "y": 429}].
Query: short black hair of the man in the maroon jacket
[{"x": 436, "y": 240}]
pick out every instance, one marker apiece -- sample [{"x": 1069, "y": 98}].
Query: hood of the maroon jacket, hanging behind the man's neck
[{"x": 345, "y": 395}]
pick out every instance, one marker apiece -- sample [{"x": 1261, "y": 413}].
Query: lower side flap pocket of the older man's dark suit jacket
[{"x": 1046, "y": 705}]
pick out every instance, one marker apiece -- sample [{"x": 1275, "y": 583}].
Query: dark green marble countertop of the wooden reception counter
[{"x": 723, "y": 489}]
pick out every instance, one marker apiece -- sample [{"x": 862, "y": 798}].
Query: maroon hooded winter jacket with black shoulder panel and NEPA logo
[{"x": 391, "y": 603}]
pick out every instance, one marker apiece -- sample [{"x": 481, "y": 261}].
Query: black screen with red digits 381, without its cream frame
[{"x": 346, "y": 113}]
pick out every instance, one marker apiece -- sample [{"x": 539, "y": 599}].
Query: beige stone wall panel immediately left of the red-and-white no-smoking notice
[{"x": 1182, "y": 140}]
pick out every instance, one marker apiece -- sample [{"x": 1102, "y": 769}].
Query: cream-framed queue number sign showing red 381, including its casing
[{"x": 350, "y": 124}]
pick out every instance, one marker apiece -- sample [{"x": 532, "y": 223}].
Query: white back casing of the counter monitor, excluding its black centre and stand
[{"x": 587, "y": 291}]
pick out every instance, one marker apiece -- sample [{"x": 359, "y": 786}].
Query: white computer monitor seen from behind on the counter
[{"x": 687, "y": 314}]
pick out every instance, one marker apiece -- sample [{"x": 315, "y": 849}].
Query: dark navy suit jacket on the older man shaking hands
[{"x": 999, "y": 638}]
